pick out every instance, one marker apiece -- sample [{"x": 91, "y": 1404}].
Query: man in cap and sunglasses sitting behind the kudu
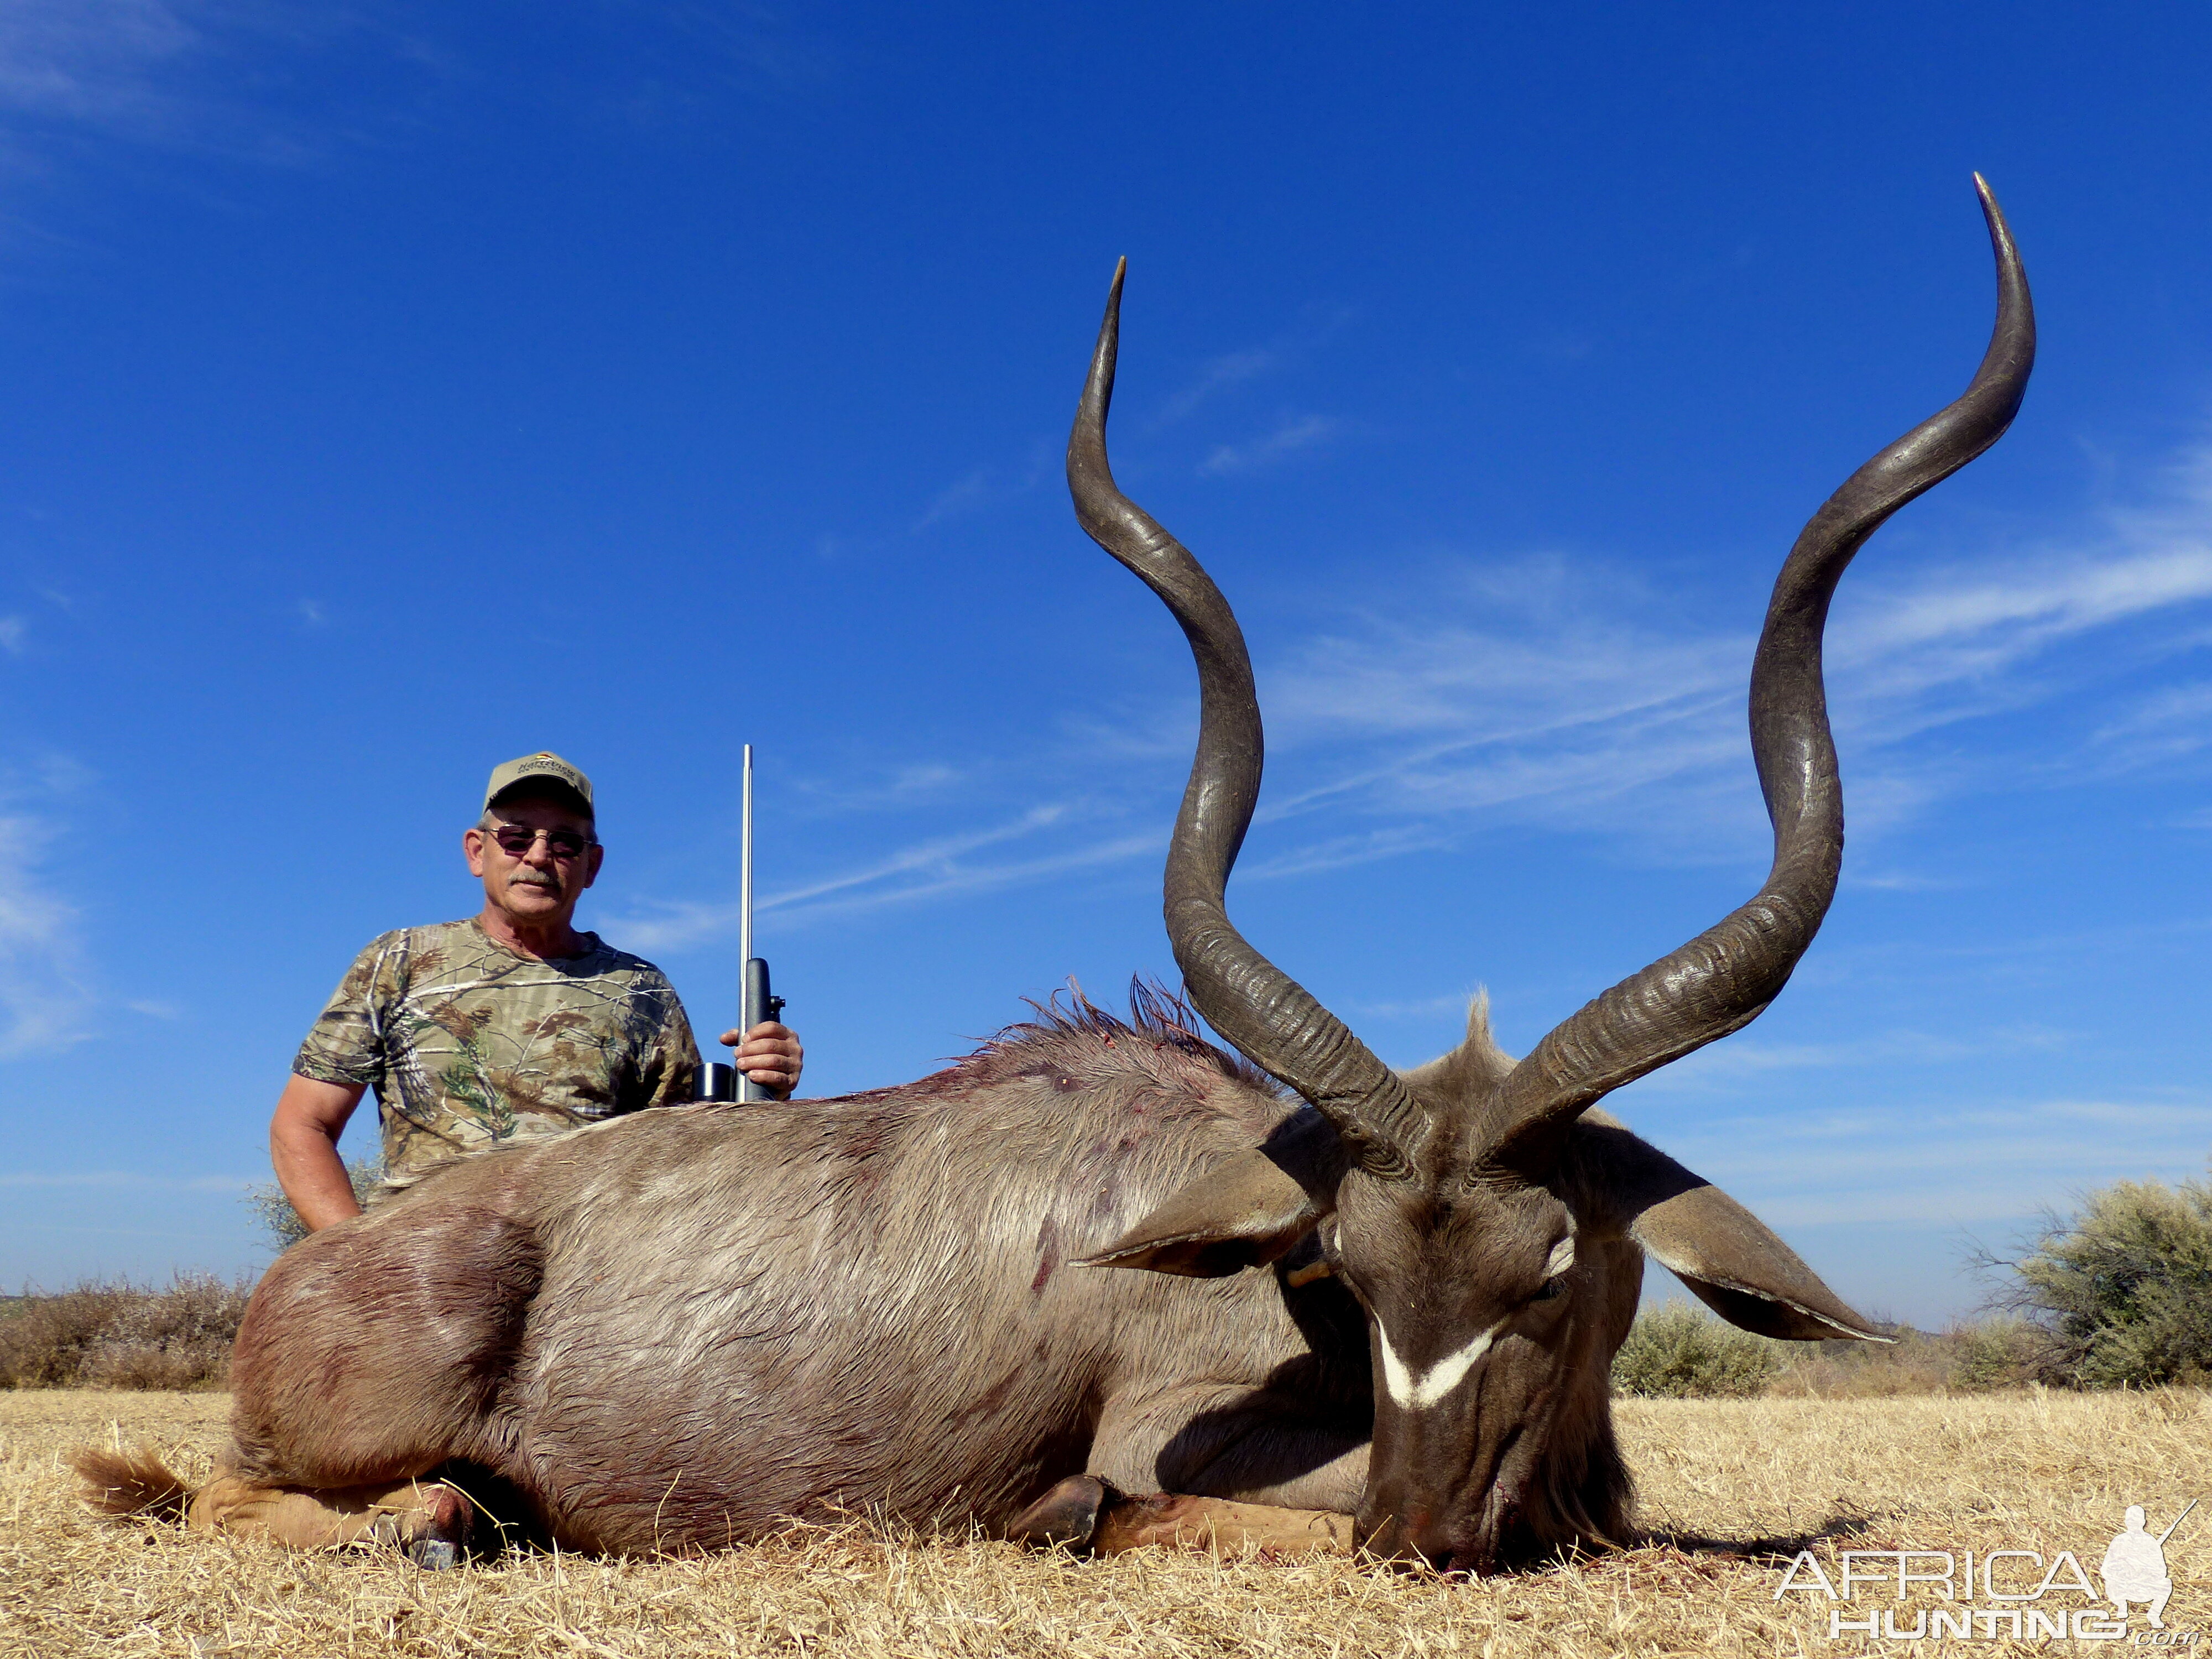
[{"x": 503, "y": 1027}]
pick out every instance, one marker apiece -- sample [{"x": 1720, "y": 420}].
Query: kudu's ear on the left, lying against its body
[{"x": 1244, "y": 1211}]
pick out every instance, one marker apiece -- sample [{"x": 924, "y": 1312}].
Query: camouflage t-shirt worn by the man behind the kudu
[{"x": 470, "y": 1045}]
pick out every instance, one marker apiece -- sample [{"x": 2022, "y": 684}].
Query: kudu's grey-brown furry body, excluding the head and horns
[{"x": 682, "y": 1328}]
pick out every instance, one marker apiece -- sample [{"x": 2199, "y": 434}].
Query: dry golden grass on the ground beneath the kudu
[{"x": 1729, "y": 1492}]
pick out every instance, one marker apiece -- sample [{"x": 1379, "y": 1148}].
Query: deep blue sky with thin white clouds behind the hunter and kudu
[{"x": 397, "y": 388}]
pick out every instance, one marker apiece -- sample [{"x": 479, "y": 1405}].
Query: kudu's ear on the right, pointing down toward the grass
[{"x": 1729, "y": 1258}]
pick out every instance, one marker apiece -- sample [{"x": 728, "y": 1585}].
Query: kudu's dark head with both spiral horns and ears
[{"x": 1479, "y": 1209}]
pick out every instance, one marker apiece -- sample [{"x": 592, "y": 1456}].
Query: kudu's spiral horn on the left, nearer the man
[{"x": 1269, "y": 1016}]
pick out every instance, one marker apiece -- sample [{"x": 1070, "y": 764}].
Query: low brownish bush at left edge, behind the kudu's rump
[{"x": 112, "y": 1335}]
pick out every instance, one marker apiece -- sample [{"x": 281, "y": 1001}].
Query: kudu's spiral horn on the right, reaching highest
[{"x": 1729, "y": 974}]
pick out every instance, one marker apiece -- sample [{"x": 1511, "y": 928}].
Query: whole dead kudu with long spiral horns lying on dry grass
[{"x": 1379, "y": 1293}]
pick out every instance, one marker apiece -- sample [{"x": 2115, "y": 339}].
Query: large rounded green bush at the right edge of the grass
[{"x": 2122, "y": 1291}]
